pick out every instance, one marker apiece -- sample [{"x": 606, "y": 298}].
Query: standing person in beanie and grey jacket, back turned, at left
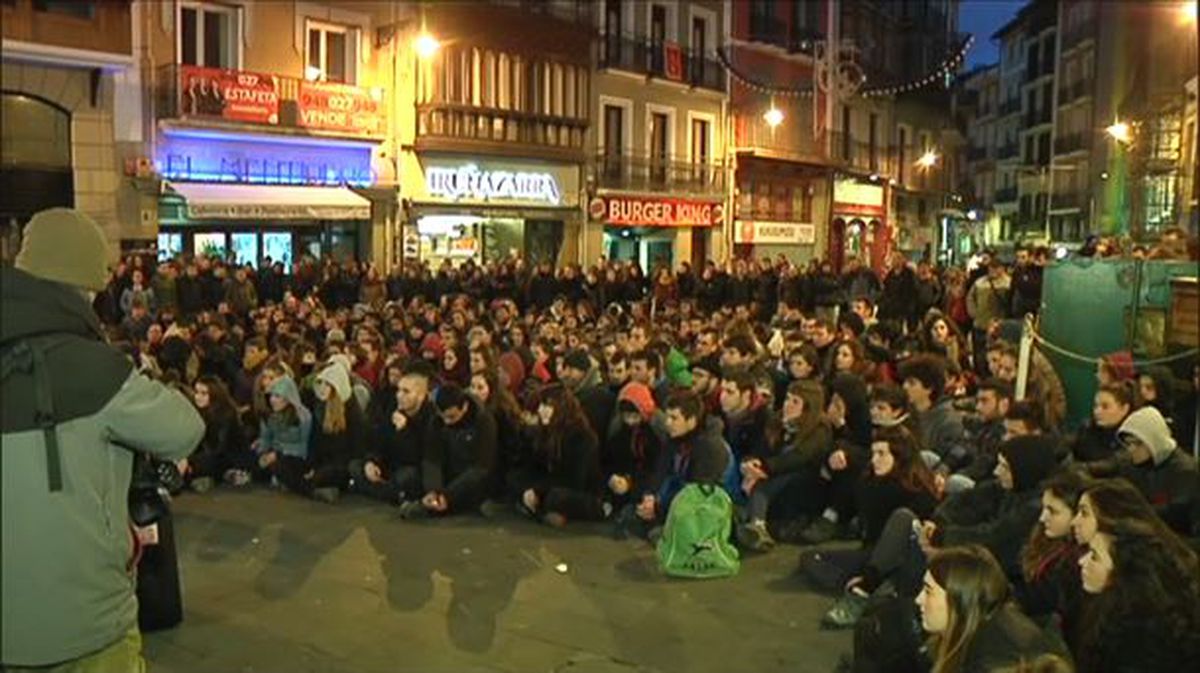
[{"x": 75, "y": 413}]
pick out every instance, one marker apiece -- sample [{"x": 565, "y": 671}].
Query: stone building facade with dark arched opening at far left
[{"x": 69, "y": 111}]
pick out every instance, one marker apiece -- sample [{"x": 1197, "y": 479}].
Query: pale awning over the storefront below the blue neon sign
[{"x": 209, "y": 201}]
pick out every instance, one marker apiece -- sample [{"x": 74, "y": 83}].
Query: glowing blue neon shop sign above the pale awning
[{"x": 211, "y": 157}]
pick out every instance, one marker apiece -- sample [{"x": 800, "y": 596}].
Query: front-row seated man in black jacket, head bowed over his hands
[{"x": 459, "y": 462}]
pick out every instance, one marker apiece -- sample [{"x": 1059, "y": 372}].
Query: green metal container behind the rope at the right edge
[{"x": 1095, "y": 308}]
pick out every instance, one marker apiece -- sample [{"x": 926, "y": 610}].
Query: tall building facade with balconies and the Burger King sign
[{"x": 658, "y": 176}]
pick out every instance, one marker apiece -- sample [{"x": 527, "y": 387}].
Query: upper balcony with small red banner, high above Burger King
[{"x": 665, "y": 62}]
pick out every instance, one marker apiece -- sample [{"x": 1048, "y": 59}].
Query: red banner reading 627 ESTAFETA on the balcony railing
[{"x": 226, "y": 94}]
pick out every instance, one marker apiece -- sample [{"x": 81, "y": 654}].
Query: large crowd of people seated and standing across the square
[{"x": 878, "y": 408}]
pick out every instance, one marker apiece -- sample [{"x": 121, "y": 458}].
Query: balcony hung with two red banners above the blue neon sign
[{"x": 290, "y": 105}]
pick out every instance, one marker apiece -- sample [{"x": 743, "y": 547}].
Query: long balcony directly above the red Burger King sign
[{"x": 646, "y": 175}]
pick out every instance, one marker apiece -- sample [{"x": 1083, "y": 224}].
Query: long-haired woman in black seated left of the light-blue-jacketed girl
[{"x": 224, "y": 453}]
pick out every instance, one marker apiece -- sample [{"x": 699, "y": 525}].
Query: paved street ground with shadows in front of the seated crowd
[{"x": 278, "y": 584}]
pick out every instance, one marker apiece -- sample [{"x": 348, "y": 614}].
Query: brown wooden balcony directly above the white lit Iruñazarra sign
[{"x": 460, "y": 128}]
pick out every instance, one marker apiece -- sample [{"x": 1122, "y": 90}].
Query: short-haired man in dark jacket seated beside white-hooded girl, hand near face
[{"x": 392, "y": 470}]
